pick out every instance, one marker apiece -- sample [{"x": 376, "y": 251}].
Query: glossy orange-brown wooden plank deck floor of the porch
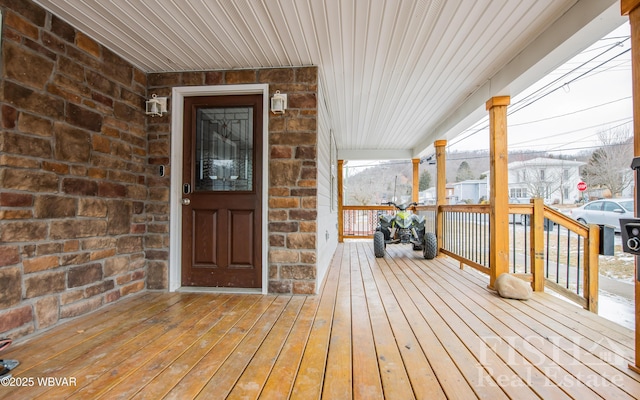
[{"x": 398, "y": 328}]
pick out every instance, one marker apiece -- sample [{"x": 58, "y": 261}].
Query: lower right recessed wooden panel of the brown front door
[{"x": 241, "y": 232}]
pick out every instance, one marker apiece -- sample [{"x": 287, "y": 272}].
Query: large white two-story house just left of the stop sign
[{"x": 551, "y": 179}]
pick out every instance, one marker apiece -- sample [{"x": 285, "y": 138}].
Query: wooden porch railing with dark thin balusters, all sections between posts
[{"x": 546, "y": 247}]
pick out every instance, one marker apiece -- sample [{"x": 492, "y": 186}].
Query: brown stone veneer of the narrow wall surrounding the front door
[{"x": 292, "y": 182}]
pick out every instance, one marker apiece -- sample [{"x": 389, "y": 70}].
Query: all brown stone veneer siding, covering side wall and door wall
[{"x": 84, "y": 216}]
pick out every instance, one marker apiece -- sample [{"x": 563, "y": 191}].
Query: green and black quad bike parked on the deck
[{"x": 405, "y": 227}]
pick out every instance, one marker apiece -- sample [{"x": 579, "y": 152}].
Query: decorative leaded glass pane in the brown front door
[{"x": 224, "y": 149}]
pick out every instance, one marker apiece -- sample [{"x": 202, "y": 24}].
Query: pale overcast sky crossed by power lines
[{"x": 567, "y": 115}]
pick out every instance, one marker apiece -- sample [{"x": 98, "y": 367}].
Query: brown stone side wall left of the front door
[{"x": 80, "y": 209}]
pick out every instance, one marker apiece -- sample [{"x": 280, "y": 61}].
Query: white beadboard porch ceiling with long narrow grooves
[{"x": 396, "y": 74}]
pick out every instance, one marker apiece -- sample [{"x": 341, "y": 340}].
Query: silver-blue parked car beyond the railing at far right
[{"x": 604, "y": 212}]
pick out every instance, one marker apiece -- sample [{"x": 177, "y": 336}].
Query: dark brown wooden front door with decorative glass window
[{"x": 222, "y": 191}]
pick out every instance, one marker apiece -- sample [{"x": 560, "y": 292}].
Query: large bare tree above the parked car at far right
[{"x": 609, "y": 165}]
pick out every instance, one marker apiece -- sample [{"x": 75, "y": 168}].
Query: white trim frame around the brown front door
[{"x": 175, "y": 228}]
